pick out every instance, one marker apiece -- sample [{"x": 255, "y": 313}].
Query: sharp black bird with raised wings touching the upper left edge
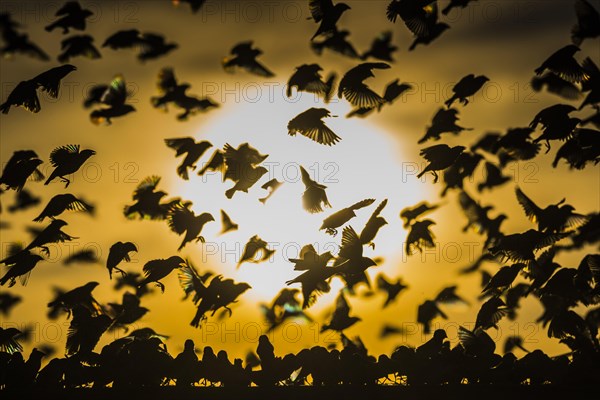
[{"x": 25, "y": 93}]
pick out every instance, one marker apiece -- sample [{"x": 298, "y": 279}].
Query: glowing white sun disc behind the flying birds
[{"x": 366, "y": 163}]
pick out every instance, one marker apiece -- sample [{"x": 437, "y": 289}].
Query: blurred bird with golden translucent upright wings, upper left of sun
[{"x": 114, "y": 98}]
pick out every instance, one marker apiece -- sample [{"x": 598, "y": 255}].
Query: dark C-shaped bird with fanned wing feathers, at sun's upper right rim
[{"x": 353, "y": 89}]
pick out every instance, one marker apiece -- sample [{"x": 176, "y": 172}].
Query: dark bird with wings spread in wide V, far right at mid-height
[{"x": 555, "y": 218}]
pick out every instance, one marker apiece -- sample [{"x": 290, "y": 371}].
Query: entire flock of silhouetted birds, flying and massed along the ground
[{"x": 558, "y": 227}]
